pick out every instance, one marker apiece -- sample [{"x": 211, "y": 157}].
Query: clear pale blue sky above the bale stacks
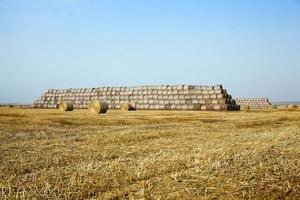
[{"x": 252, "y": 47}]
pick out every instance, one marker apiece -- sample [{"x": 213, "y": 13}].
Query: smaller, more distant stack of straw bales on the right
[{"x": 254, "y": 103}]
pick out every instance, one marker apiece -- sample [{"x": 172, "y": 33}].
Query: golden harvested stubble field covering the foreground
[{"x": 149, "y": 154}]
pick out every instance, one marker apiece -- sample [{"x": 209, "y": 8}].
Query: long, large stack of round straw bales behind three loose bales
[{"x": 162, "y": 97}]
